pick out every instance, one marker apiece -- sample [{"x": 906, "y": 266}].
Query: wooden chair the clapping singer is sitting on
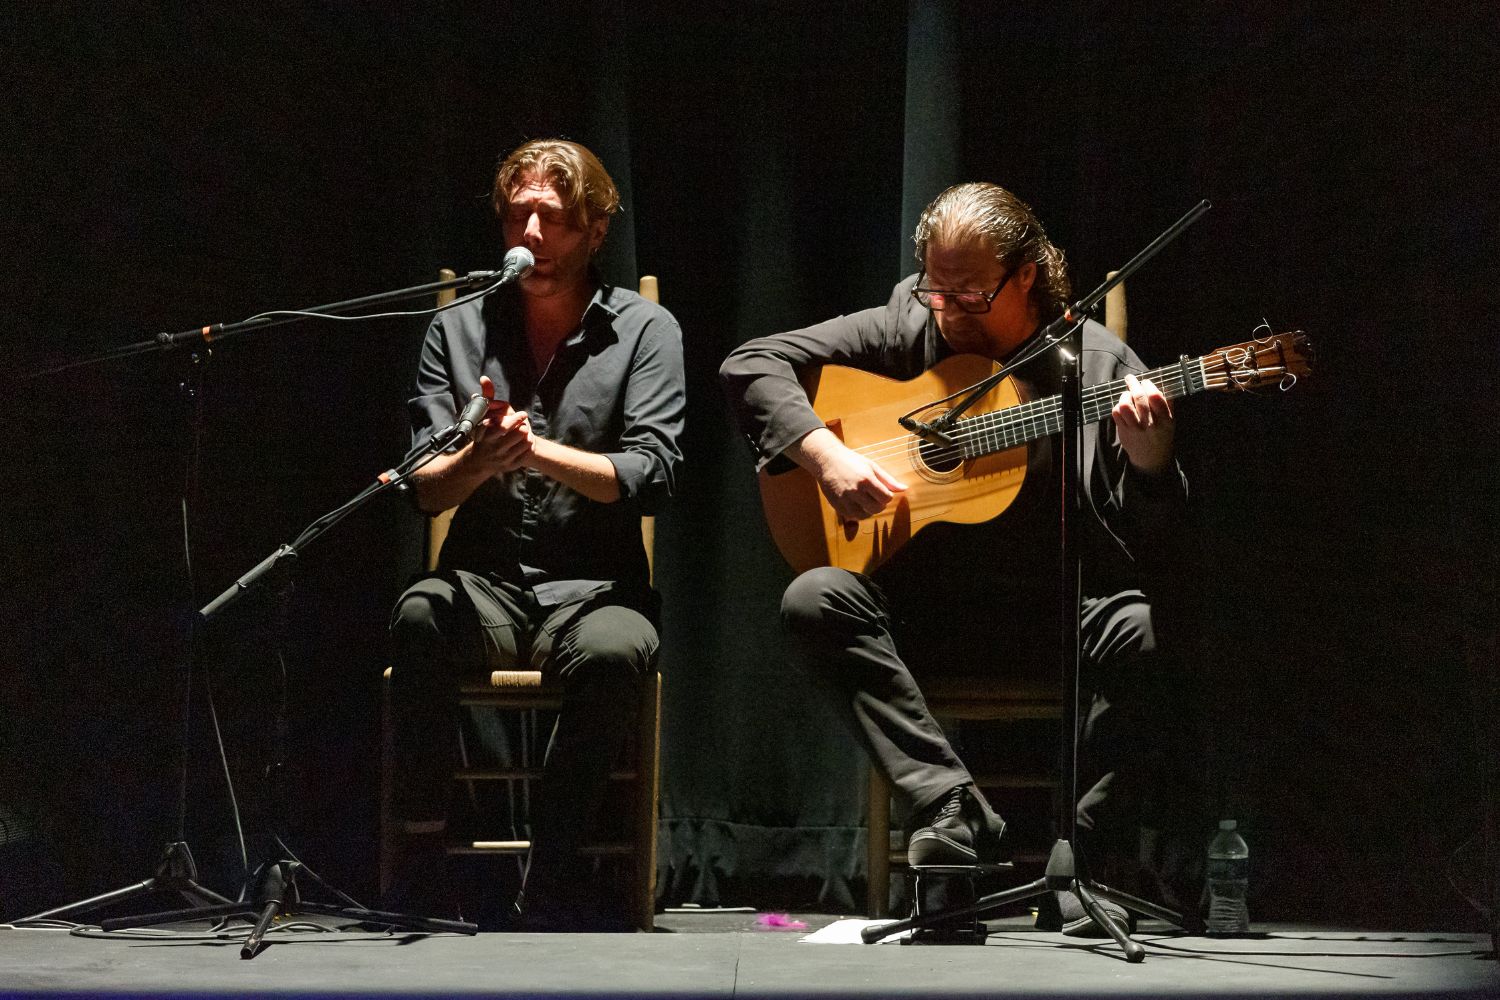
[{"x": 527, "y": 693}]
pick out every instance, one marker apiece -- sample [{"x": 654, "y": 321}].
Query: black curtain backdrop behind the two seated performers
[{"x": 169, "y": 169}]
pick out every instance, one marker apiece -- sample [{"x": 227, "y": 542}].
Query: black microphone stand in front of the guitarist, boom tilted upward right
[{"x": 1063, "y": 875}]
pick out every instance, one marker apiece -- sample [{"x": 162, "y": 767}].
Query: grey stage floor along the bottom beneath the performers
[{"x": 727, "y": 956}]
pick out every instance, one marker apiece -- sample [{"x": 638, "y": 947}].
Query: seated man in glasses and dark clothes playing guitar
[{"x": 979, "y": 596}]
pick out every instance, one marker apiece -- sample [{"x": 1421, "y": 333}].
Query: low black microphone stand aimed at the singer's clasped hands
[{"x": 277, "y": 888}]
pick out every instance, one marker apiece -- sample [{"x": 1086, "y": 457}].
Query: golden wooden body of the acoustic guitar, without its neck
[{"x": 865, "y": 412}]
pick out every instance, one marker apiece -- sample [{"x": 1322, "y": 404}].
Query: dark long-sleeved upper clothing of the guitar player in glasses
[{"x": 968, "y": 561}]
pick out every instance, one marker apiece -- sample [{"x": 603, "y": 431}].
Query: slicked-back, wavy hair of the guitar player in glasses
[{"x": 988, "y": 215}]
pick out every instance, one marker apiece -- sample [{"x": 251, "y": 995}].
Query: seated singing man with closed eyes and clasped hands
[{"x": 544, "y": 567}]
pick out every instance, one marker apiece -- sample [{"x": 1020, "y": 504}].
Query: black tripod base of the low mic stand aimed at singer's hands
[{"x": 278, "y": 896}]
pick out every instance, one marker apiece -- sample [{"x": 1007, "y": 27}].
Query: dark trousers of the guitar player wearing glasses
[{"x": 847, "y": 632}]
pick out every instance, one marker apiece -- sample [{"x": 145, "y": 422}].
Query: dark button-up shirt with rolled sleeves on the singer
[{"x": 614, "y": 388}]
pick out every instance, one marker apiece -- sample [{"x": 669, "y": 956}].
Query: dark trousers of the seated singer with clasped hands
[{"x": 457, "y": 626}]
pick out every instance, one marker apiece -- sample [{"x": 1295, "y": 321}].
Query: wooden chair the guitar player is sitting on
[{"x": 979, "y": 698}]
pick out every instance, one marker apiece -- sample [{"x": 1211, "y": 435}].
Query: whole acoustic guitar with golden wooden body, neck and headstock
[{"x": 982, "y": 473}]
